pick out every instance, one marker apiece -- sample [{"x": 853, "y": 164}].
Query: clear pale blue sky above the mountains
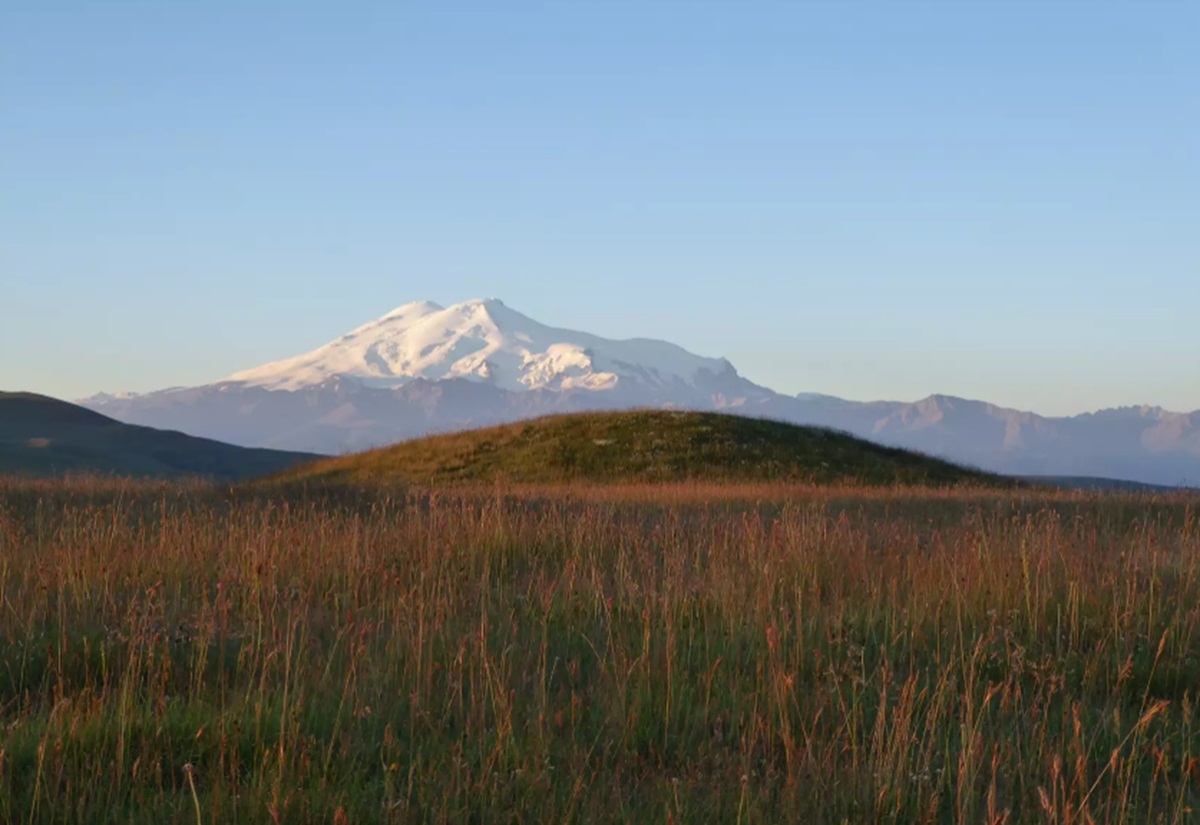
[{"x": 866, "y": 198}]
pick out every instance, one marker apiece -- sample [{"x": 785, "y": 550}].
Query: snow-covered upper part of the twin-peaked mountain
[{"x": 485, "y": 341}]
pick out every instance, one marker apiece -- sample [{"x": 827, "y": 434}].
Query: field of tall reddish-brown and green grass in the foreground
[{"x": 682, "y": 654}]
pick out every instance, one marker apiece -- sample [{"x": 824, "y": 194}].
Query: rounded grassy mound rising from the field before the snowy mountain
[{"x": 643, "y": 447}]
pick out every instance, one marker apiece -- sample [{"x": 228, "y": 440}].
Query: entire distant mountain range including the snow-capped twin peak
[{"x": 423, "y": 369}]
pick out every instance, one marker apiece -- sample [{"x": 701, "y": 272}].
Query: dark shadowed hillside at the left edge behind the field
[{"x": 46, "y": 437}]
